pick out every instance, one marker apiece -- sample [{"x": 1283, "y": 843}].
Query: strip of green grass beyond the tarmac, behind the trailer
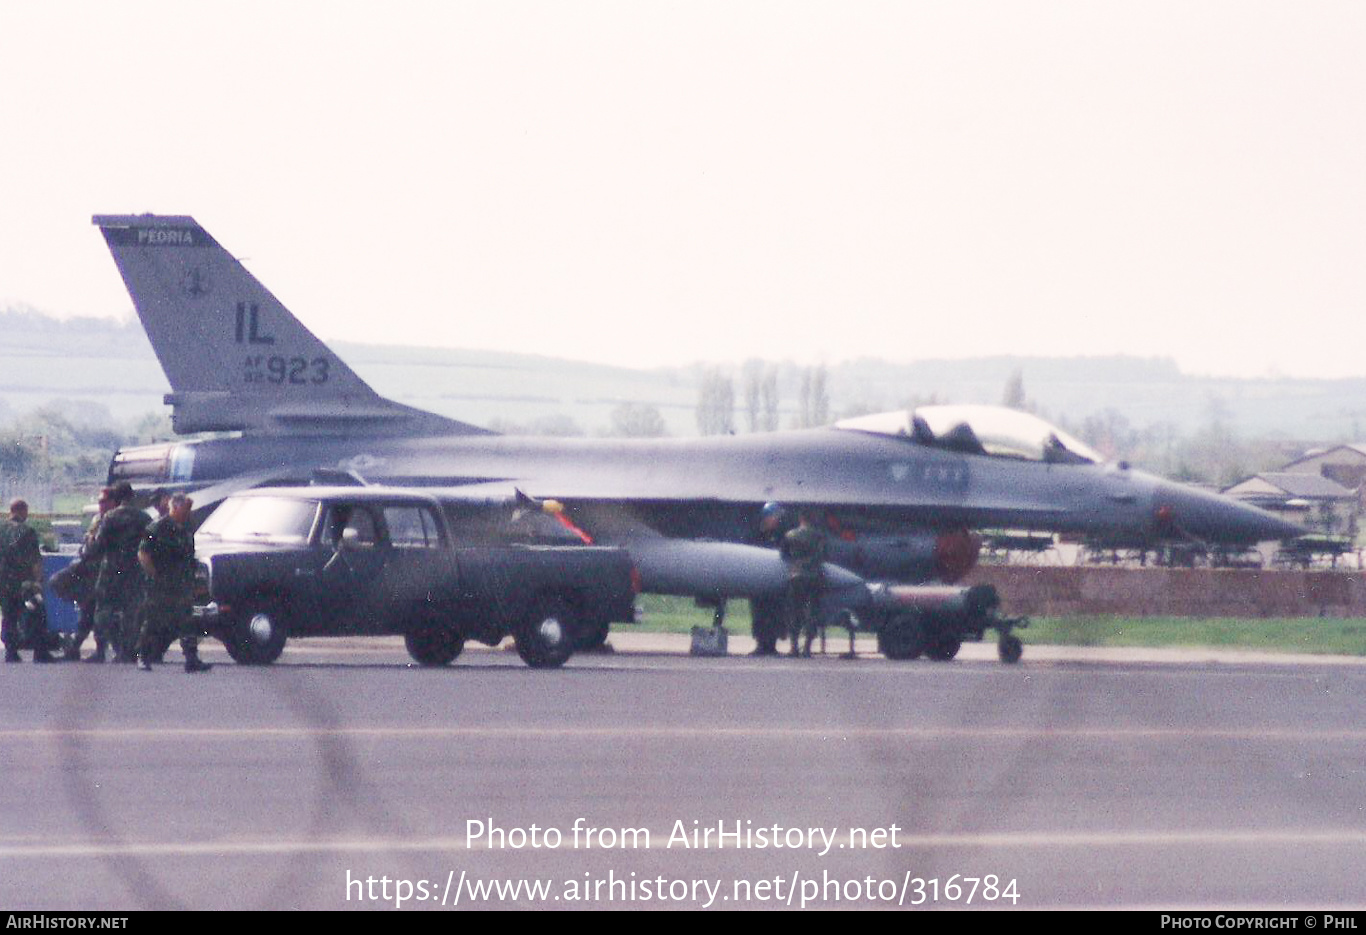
[{"x": 1334, "y": 636}]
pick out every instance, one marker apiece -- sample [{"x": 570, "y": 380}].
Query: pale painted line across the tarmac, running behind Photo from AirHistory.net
[{"x": 1010, "y": 840}]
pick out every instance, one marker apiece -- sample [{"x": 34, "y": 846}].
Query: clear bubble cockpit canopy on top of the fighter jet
[{"x": 980, "y": 430}]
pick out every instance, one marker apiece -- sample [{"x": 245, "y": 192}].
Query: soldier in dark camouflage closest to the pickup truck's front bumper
[{"x": 167, "y": 556}]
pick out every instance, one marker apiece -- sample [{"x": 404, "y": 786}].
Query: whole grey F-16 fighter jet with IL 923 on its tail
[{"x": 900, "y": 491}]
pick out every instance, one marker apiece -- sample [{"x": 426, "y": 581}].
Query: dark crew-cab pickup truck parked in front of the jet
[{"x": 359, "y": 561}]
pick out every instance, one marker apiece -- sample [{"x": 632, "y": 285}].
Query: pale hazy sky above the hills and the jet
[{"x": 652, "y": 184}]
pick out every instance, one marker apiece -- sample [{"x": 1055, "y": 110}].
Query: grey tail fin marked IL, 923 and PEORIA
[{"x": 236, "y": 357}]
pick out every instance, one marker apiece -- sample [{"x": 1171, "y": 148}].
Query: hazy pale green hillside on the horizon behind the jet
[{"x": 111, "y": 366}]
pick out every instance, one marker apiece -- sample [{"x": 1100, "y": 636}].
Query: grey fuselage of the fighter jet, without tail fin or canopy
[{"x": 712, "y": 487}]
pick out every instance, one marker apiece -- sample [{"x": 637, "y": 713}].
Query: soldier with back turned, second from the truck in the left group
[{"x": 118, "y": 591}]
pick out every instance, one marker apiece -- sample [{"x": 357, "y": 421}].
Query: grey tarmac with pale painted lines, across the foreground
[{"x": 342, "y": 777}]
